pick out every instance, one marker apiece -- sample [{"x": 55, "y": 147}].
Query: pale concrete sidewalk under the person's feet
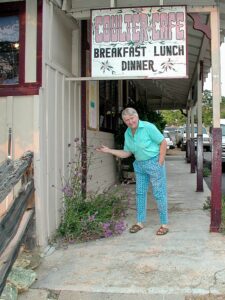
[{"x": 186, "y": 262}]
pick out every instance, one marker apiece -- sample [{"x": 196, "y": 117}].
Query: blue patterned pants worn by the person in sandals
[{"x": 150, "y": 171}]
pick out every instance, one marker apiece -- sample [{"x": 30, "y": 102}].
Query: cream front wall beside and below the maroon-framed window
[{"x": 18, "y": 113}]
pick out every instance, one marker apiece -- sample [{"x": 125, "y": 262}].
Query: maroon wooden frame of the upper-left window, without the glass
[{"x": 22, "y": 87}]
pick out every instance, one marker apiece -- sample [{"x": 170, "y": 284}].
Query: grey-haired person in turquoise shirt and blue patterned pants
[{"x": 148, "y": 145}]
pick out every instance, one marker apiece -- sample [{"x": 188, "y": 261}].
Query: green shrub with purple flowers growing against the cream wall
[{"x": 91, "y": 217}]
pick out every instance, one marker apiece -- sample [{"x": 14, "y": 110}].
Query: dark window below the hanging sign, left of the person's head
[{"x": 108, "y": 105}]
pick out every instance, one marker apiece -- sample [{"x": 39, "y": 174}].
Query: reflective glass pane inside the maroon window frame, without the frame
[{"x": 9, "y": 50}]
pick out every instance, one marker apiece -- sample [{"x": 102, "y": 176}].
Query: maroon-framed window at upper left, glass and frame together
[{"x": 12, "y": 50}]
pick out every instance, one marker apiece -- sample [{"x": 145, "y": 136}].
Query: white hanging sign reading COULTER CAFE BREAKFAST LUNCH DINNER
[{"x": 147, "y": 42}]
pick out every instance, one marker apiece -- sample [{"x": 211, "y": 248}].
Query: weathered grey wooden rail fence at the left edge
[{"x": 16, "y": 209}]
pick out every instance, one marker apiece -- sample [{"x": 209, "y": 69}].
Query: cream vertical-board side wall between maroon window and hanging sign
[{"x": 59, "y": 118}]
